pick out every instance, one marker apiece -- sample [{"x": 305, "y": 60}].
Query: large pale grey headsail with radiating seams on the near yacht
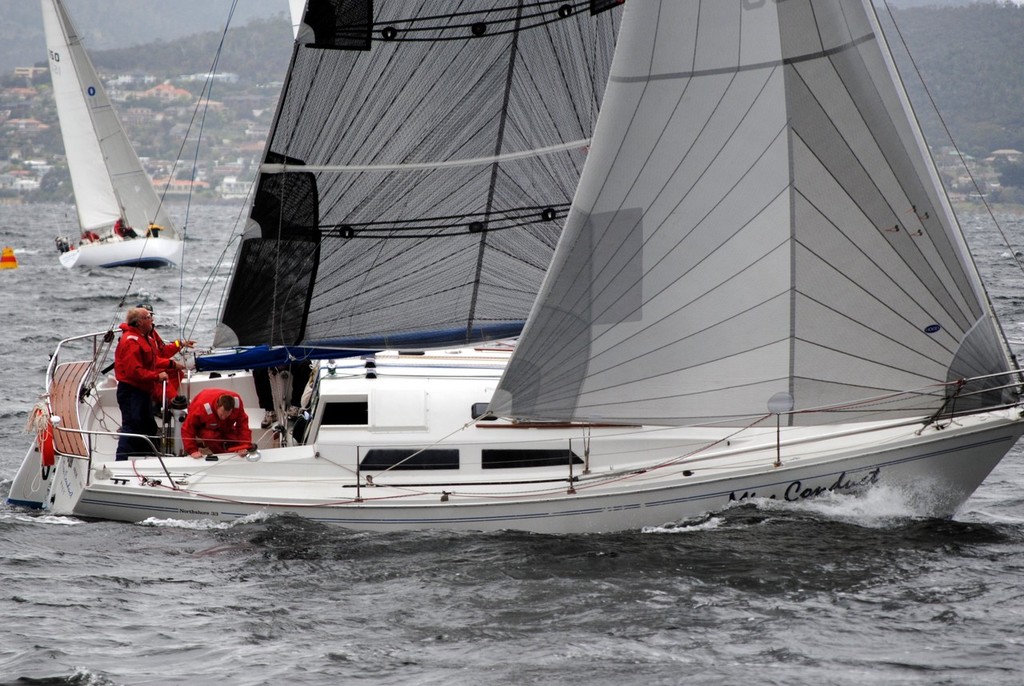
[{"x": 758, "y": 215}]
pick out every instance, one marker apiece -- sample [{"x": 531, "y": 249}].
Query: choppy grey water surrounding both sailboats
[{"x": 832, "y": 592}]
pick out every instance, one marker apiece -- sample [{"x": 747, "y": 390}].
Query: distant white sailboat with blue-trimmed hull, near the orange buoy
[{"x": 109, "y": 181}]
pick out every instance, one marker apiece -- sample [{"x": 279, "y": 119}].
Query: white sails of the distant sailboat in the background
[{"x": 106, "y": 173}]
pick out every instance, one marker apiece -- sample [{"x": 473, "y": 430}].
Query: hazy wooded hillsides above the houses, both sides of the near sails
[{"x": 971, "y": 56}]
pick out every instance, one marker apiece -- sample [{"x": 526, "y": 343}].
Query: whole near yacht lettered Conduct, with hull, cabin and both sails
[{"x": 761, "y": 290}]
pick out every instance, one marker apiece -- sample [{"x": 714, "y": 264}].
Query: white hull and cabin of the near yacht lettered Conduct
[{"x": 637, "y": 478}]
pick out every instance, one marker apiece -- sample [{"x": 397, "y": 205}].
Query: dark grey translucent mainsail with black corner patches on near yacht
[{"x": 422, "y": 161}]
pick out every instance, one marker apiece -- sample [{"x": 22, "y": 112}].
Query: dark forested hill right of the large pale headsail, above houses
[{"x": 972, "y": 60}]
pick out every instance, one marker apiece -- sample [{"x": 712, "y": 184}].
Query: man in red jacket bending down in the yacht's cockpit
[{"x": 217, "y": 422}]
